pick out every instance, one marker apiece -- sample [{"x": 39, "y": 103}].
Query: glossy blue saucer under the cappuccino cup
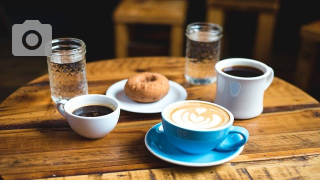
[{"x": 158, "y": 144}]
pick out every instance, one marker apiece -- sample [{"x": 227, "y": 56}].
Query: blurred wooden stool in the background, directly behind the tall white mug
[{"x": 267, "y": 15}]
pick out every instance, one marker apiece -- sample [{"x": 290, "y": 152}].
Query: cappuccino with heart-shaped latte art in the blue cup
[{"x": 197, "y": 115}]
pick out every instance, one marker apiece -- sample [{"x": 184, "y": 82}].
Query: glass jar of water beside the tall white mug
[{"x": 202, "y": 52}]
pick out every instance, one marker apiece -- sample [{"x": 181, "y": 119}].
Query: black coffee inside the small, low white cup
[{"x": 92, "y": 111}]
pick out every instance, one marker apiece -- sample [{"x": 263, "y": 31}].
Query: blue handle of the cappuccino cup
[{"x": 230, "y": 143}]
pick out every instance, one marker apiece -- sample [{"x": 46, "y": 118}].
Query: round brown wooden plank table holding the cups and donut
[{"x": 37, "y": 142}]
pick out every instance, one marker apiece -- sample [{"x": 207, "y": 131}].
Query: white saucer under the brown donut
[{"x": 176, "y": 93}]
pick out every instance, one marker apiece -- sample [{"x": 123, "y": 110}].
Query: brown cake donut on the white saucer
[{"x": 147, "y": 87}]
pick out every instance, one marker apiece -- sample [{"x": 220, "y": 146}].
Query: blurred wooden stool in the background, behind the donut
[{"x": 150, "y": 12}]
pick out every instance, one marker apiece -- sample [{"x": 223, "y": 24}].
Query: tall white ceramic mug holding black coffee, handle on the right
[{"x": 243, "y": 96}]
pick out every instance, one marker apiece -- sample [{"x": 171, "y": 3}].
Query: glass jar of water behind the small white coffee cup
[{"x": 67, "y": 69}]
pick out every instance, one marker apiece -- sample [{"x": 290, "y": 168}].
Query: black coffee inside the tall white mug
[{"x": 243, "y": 71}]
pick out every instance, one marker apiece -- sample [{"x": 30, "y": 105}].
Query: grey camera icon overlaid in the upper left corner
[{"x": 31, "y": 39}]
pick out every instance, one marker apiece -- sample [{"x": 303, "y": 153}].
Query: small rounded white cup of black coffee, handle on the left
[{"x": 90, "y": 127}]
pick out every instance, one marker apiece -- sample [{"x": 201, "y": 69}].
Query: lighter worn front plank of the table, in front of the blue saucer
[{"x": 295, "y": 168}]
